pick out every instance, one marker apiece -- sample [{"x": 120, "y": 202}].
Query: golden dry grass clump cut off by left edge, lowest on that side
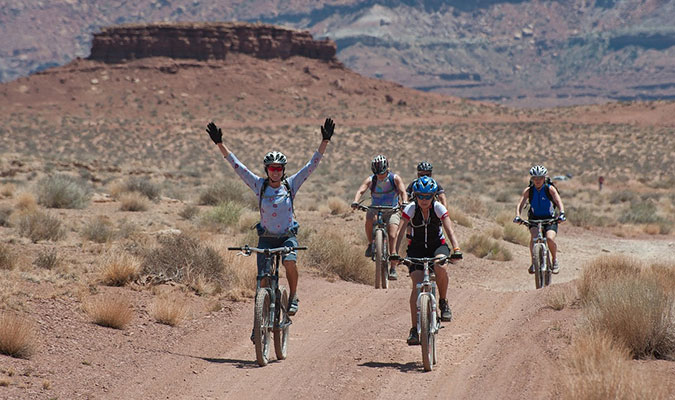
[{"x": 17, "y": 336}]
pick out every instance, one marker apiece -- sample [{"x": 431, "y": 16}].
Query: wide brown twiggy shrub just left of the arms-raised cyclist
[{"x": 184, "y": 259}]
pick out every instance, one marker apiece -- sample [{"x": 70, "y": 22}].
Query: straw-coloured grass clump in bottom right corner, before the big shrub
[{"x": 599, "y": 368}]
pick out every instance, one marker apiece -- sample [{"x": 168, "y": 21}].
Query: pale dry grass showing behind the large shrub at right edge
[{"x": 602, "y": 269}]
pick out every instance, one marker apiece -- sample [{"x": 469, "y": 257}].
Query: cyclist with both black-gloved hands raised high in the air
[{"x": 277, "y": 226}]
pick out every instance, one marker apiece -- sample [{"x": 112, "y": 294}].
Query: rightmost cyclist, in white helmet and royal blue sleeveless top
[{"x": 543, "y": 197}]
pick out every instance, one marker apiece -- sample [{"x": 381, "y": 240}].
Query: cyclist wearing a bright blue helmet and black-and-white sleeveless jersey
[{"x": 428, "y": 219}]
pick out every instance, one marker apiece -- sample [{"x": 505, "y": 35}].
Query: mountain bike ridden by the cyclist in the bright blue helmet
[{"x": 428, "y": 321}]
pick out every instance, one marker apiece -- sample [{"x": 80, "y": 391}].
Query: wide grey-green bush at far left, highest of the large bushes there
[{"x": 62, "y": 191}]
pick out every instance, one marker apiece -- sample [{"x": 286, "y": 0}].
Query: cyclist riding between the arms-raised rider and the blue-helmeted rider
[{"x": 386, "y": 189}]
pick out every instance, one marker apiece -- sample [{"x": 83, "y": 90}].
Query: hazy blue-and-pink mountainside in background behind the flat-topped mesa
[{"x": 519, "y": 52}]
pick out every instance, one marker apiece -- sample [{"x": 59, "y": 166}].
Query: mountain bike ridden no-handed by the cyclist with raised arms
[{"x": 271, "y": 301}]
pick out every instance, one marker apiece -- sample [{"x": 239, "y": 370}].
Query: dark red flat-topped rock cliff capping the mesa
[{"x": 206, "y": 41}]
